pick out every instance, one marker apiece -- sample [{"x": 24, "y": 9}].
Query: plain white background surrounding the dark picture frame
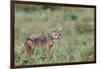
[{"x": 5, "y": 34}]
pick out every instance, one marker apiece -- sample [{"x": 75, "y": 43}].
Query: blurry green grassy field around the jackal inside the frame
[{"x": 77, "y": 40}]
